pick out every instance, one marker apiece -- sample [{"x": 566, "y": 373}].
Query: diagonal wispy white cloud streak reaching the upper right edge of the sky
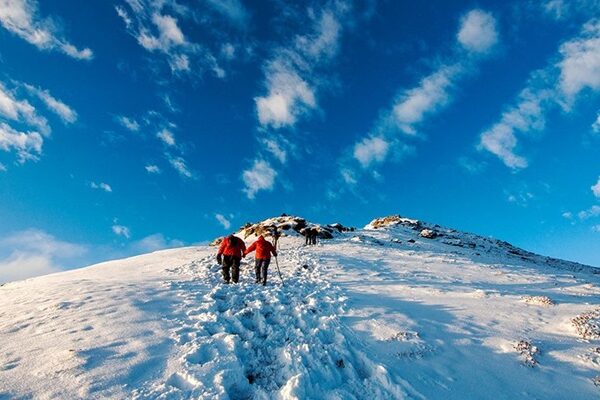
[{"x": 559, "y": 84}]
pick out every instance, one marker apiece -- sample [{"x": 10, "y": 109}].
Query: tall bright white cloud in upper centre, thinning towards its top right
[{"x": 291, "y": 83}]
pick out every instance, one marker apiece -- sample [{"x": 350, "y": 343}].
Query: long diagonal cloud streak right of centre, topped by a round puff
[{"x": 476, "y": 38}]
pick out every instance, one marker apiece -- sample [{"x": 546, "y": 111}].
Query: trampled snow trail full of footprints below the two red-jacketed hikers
[{"x": 247, "y": 341}]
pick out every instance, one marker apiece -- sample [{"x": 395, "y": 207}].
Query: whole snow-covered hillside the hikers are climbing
[{"x": 379, "y": 313}]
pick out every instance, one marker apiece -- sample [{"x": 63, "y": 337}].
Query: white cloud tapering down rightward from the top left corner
[{"x": 21, "y": 17}]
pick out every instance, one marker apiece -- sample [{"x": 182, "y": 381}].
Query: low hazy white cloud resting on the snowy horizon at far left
[{"x": 34, "y": 252}]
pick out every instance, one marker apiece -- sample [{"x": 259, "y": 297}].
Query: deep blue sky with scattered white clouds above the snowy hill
[{"x": 128, "y": 126}]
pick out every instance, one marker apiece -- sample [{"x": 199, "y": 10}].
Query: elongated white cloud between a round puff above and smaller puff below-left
[{"x": 431, "y": 95}]
